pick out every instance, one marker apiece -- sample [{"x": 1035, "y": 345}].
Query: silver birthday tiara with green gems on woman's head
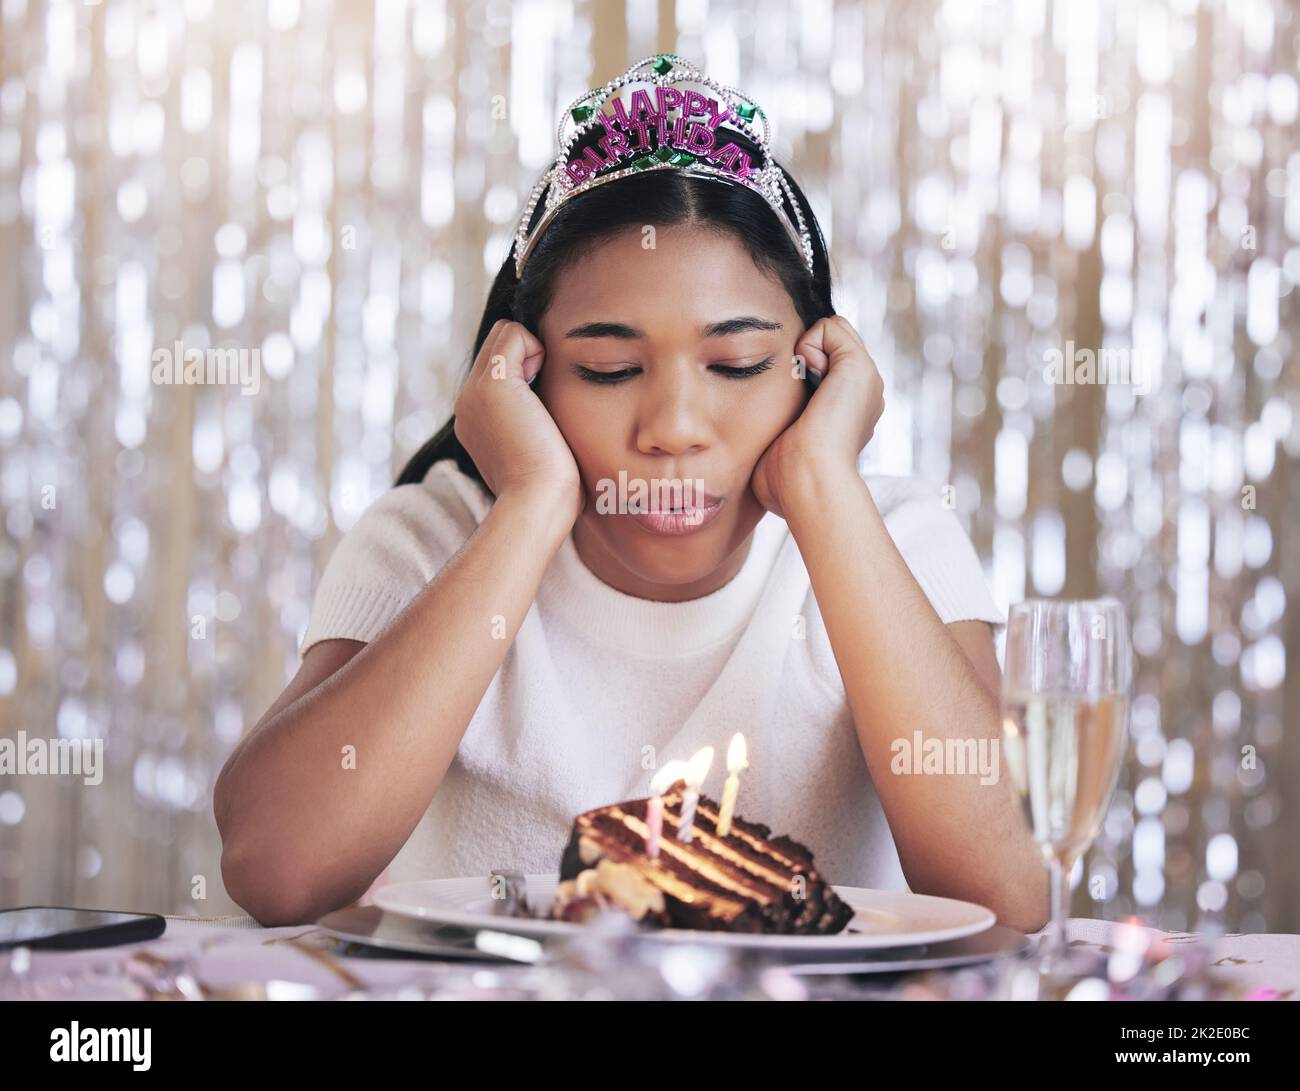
[{"x": 661, "y": 128}]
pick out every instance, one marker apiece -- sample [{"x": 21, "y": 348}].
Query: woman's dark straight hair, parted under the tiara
[{"x": 662, "y": 198}]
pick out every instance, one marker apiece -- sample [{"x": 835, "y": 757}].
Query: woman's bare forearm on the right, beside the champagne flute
[{"x": 904, "y": 673}]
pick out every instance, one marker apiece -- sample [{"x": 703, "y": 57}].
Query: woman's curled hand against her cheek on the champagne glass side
[{"x": 837, "y": 423}]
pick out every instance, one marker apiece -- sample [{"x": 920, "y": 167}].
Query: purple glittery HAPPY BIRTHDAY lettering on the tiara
[{"x": 696, "y": 138}]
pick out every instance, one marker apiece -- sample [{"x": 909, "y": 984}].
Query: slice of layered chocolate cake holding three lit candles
[{"x": 747, "y": 882}]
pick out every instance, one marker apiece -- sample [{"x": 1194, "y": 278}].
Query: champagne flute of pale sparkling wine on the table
[{"x": 1065, "y": 722}]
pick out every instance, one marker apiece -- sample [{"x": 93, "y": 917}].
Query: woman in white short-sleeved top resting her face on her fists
[{"x": 500, "y": 643}]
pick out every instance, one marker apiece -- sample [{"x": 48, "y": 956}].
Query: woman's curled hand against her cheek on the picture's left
[{"x": 505, "y": 427}]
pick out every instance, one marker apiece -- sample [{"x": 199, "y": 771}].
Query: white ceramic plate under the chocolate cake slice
[{"x": 882, "y": 919}]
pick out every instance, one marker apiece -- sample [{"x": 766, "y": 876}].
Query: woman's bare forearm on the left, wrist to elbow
[{"x": 327, "y": 791}]
